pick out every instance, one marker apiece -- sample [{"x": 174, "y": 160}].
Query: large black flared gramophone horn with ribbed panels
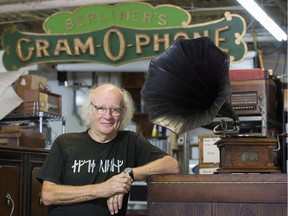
[{"x": 188, "y": 85}]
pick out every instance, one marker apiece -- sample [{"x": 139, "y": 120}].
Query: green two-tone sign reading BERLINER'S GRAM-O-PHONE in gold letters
[{"x": 116, "y": 35}]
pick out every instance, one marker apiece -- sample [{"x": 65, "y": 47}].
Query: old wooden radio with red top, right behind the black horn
[{"x": 253, "y": 93}]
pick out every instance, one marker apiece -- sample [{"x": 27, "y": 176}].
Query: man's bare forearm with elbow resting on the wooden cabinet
[{"x": 165, "y": 165}]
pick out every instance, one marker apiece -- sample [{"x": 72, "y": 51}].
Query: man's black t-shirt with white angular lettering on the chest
[{"x": 77, "y": 159}]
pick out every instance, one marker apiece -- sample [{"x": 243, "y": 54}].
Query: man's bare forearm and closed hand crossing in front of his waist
[{"x": 54, "y": 194}]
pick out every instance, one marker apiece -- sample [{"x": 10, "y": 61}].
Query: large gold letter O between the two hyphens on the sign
[{"x": 107, "y": 48}]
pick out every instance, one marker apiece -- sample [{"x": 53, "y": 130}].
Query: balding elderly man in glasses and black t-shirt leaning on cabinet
[{"x": 90, "y": 173}]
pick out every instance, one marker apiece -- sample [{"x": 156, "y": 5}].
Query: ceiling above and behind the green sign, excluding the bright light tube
[{"x": 29, "y": 15}]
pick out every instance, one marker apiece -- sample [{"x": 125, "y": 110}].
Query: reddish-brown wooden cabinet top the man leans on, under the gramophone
[{"x": 218, "y": 195}]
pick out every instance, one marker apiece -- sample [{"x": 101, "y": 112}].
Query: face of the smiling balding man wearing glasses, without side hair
[{"x": 106, "y": 102}]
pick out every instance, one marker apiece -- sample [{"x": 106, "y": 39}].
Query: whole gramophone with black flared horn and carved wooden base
[{"x": 187, "y": 86}]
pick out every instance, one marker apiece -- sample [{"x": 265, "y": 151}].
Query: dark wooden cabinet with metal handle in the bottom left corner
[{"x": 18, "y": 184}]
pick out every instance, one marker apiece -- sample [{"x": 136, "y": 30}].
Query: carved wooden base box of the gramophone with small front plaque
[{"x": 247, "y": 155}]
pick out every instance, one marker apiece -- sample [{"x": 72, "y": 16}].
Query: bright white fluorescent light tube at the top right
[{"x": 256, "y": 11}]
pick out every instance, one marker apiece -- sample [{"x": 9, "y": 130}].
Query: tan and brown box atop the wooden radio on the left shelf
[{"x": 30, "y": 82}]
